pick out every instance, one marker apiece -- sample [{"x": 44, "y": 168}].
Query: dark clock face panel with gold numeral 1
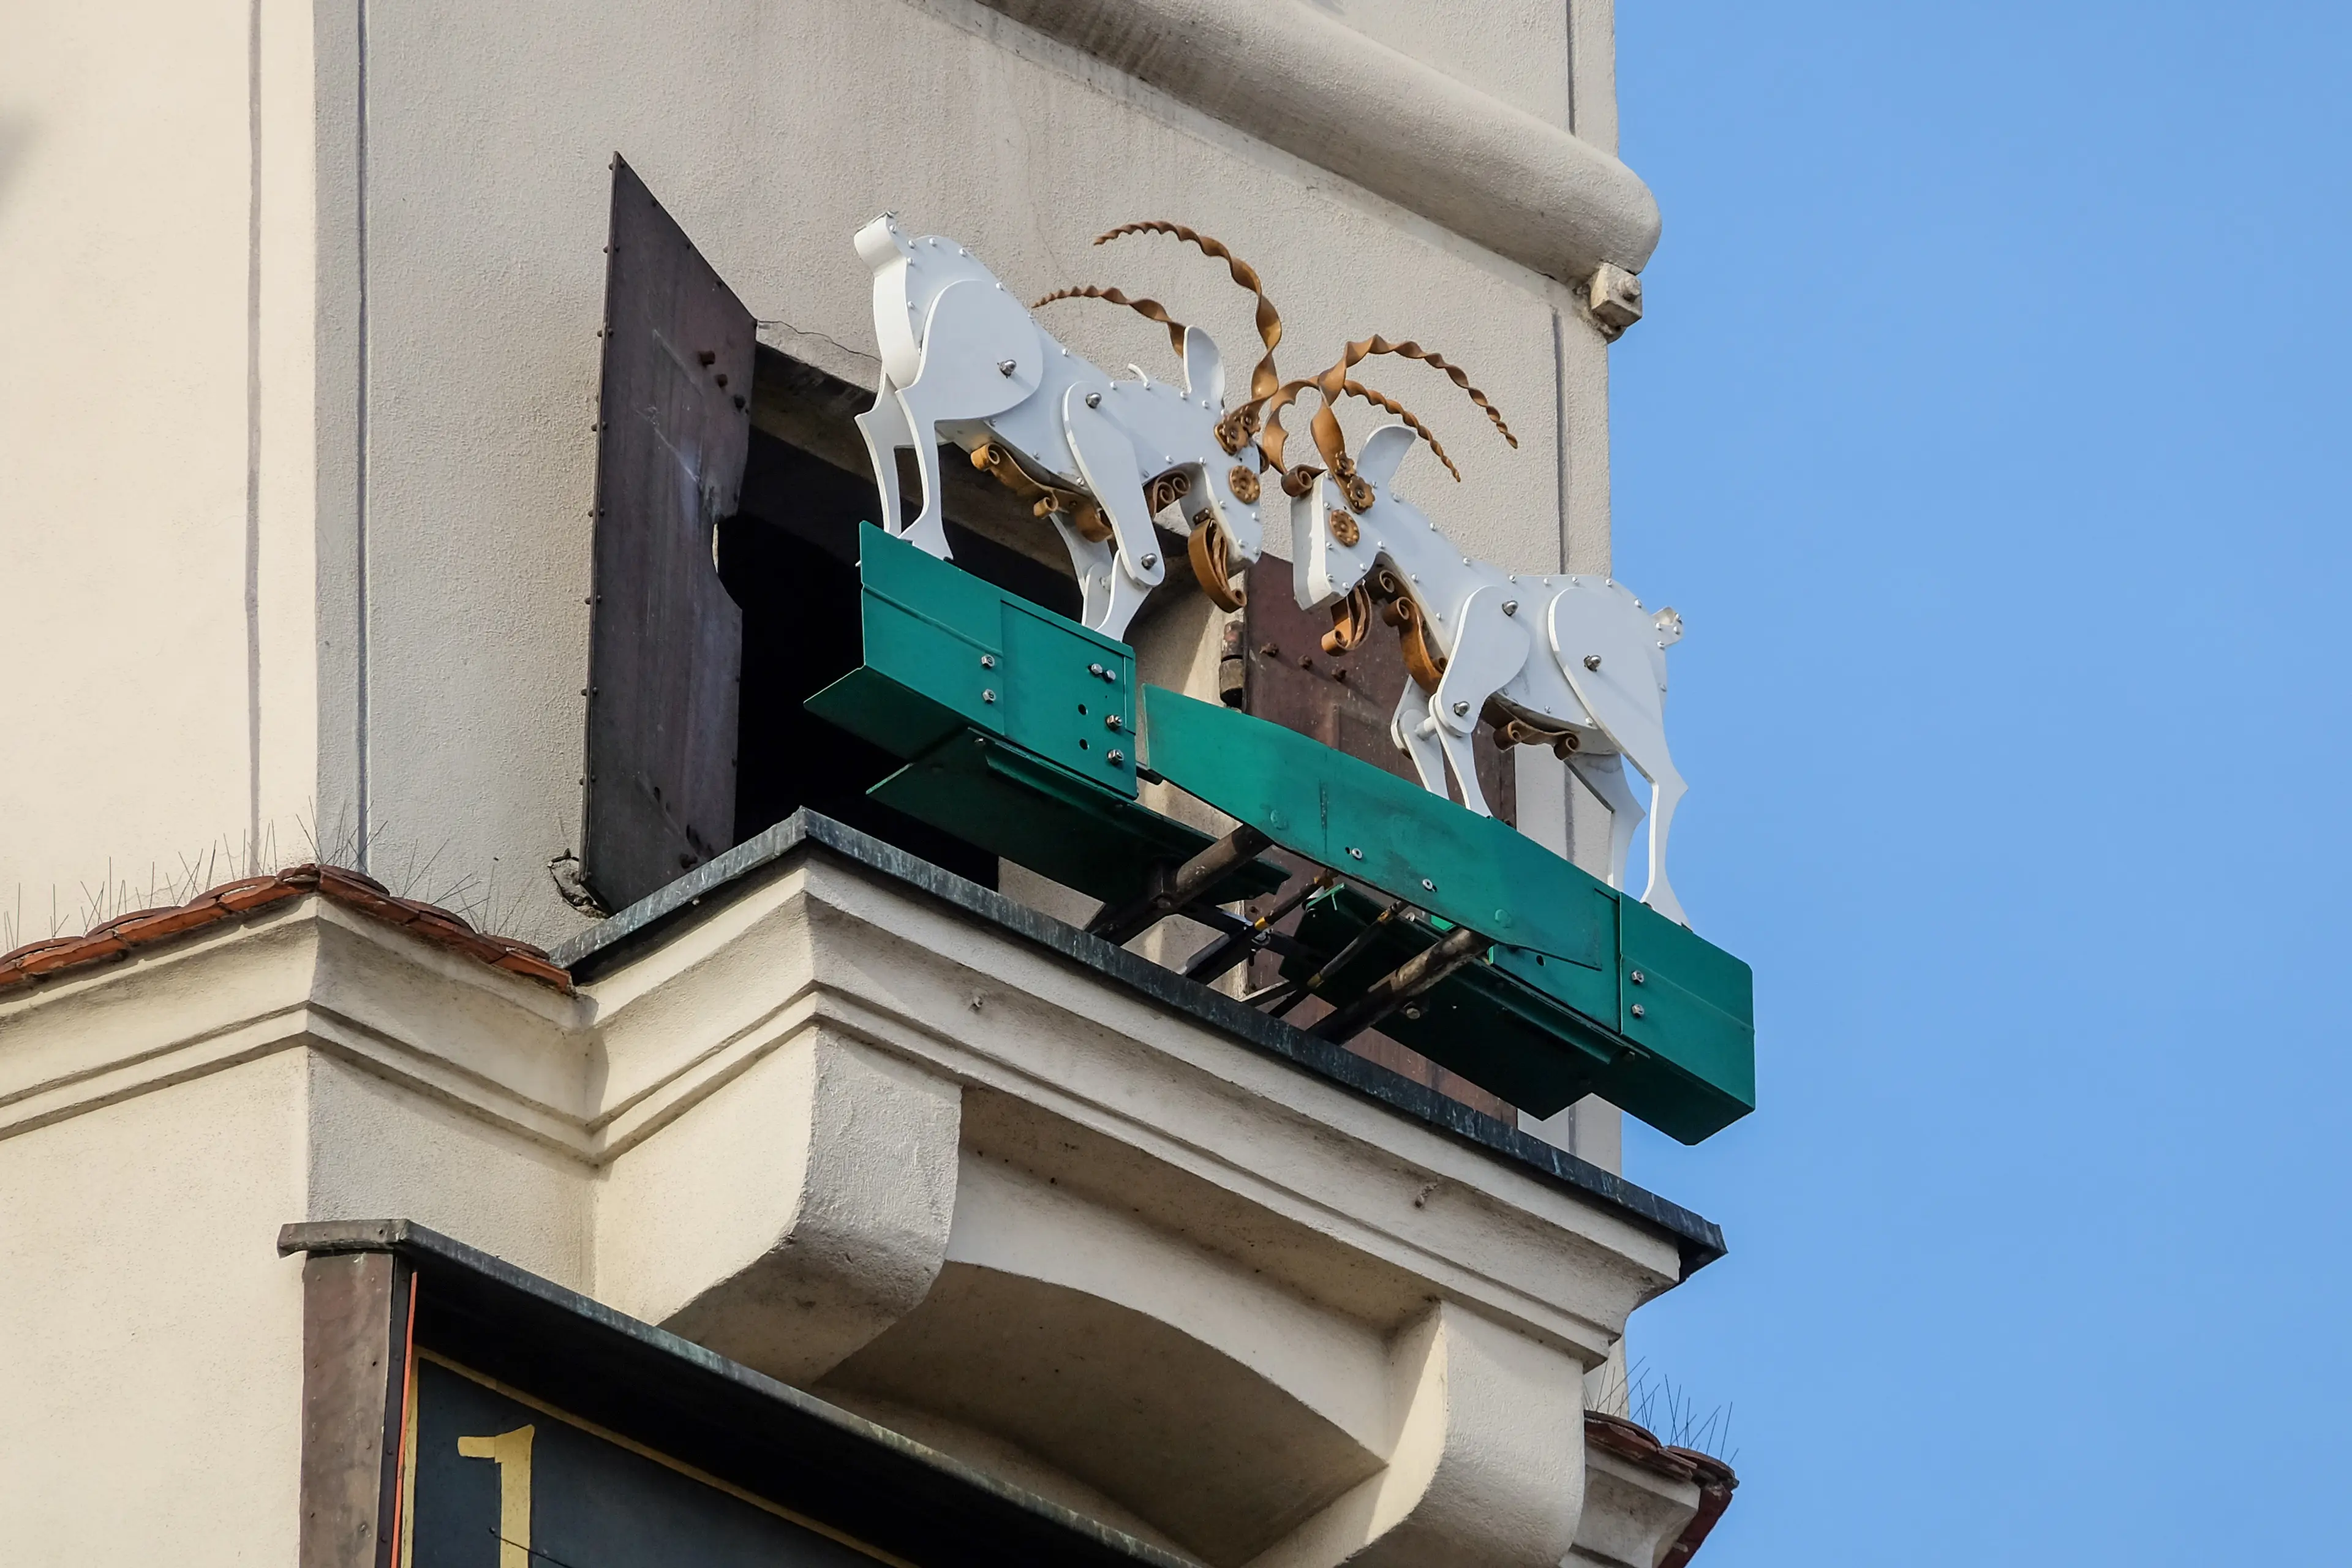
[{"x": 500, "y": 1482}]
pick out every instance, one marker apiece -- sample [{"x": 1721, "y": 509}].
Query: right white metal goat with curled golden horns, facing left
[{"x": 1570, "y": 659}]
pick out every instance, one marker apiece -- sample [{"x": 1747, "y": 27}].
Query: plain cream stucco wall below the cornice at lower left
[{"x": 149, "y": 1336}]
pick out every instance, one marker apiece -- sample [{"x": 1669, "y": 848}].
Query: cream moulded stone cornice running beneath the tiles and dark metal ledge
[{"x": 1187, "y": 1127}]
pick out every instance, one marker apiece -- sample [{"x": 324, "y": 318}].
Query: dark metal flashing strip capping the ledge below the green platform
[{"x": 653, "y": 920}]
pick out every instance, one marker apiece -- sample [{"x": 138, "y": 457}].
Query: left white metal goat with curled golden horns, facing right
[{"x": 963, "y": 361}]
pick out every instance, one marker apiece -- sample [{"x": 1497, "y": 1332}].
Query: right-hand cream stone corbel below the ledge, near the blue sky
[{"x": 1488, "y": 1466}]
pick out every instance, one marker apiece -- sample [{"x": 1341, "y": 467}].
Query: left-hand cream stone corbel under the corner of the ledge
[{"x": 791, "y": 1217}]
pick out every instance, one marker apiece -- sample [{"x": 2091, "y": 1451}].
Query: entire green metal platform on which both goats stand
[{"x": 1020, "y": 730}]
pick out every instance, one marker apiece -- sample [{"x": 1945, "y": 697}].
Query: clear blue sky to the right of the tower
[{"x": 1991, "y": 431}]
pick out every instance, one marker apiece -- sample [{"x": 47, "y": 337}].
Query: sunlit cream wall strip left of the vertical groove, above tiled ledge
[{"x": 126, "y": 177}]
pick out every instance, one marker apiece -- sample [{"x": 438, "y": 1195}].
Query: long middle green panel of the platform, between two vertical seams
[{"x": 1382, "y": 831}]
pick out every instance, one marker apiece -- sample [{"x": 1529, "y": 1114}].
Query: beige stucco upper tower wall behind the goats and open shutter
[{"x": 323, "y": 572}]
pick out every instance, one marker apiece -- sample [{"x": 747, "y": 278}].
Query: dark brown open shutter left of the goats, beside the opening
[{"x": 667, "y": 643}]
